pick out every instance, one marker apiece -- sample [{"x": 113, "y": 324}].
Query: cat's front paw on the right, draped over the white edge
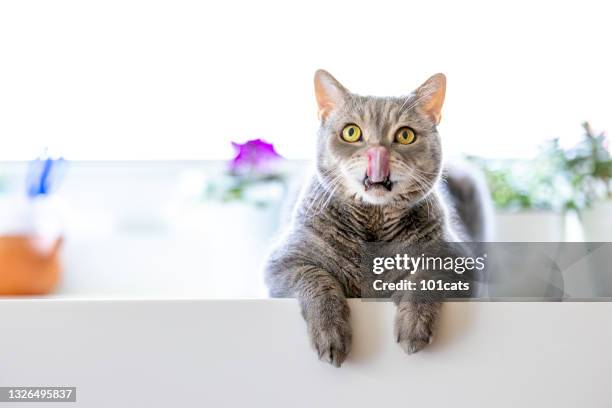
[{"x": 414, "y": 325}]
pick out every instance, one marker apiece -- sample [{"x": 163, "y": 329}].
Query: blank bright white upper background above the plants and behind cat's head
[{"x": 133, "y": 79}]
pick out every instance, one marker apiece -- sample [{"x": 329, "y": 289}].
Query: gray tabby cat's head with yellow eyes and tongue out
[{"x": 379, "y": 150}]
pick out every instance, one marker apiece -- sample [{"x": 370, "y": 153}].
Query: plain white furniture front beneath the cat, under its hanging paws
[{"x": 155, "y": 353}]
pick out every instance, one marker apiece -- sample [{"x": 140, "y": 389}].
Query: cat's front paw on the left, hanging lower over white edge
[{"x": 332, "y": 341}]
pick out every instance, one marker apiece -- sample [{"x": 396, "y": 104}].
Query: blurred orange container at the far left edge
[{"x": 27, "y": 267}]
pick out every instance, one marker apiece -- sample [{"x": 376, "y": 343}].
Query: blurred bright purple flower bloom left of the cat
[{"x": 254, "y": 155}]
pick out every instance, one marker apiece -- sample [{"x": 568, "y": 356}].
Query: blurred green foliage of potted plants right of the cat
[{"x": 556, "y": 179}]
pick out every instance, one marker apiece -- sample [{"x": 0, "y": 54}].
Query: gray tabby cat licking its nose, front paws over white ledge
[{"x": 377, "y": 179}]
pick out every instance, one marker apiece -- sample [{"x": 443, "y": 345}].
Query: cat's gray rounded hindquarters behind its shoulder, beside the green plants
[{"x": 470, "y": 199}]
